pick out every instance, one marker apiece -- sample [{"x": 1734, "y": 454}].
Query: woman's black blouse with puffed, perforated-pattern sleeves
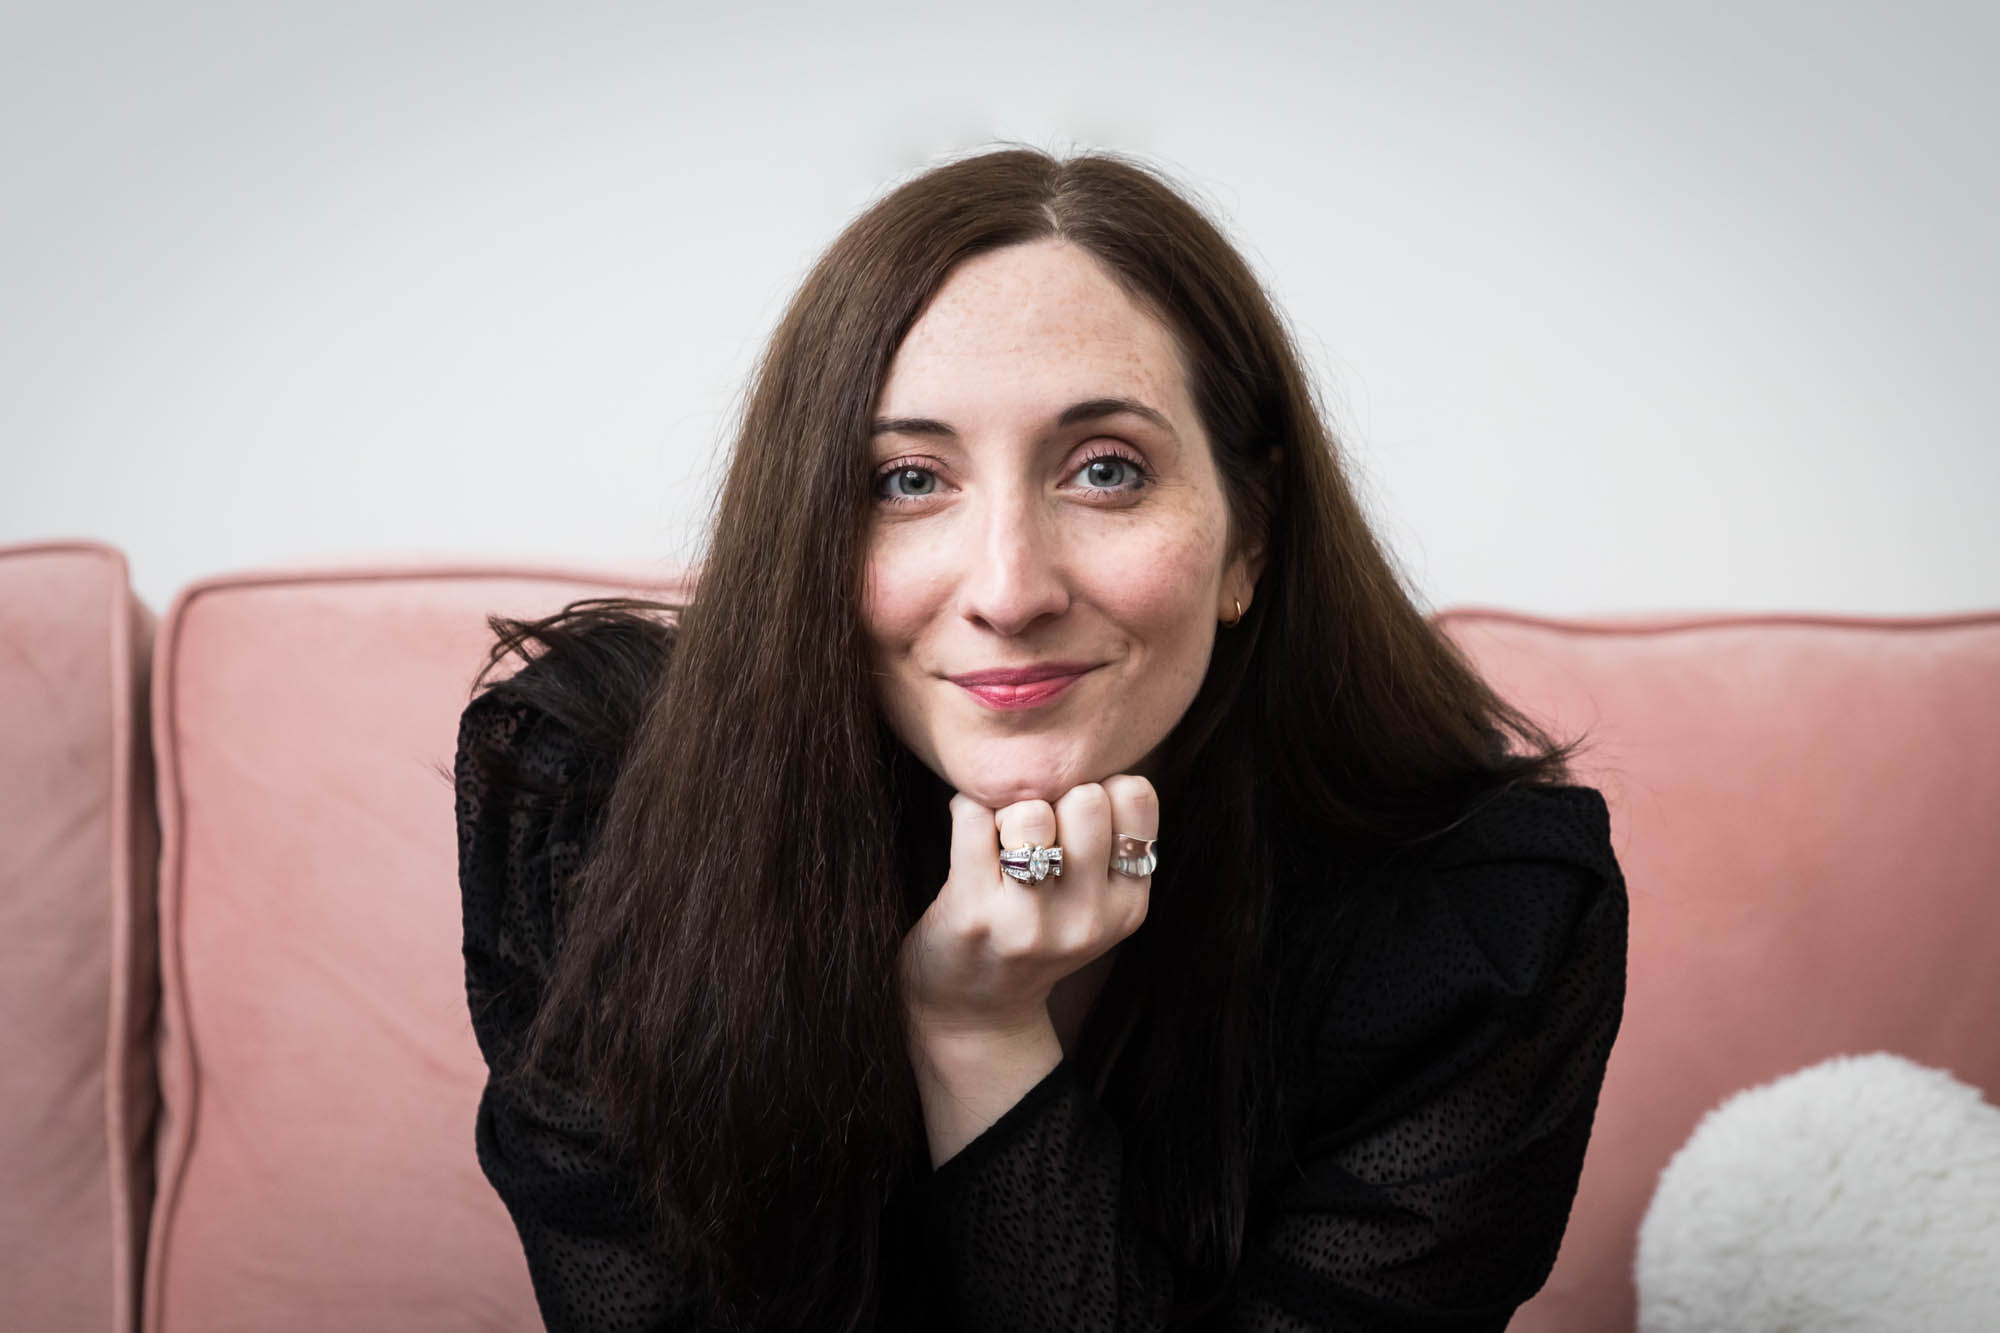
[{"x": 1451, "y": 1070}]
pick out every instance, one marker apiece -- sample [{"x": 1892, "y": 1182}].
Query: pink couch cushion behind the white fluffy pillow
[{"x": 1805, "y": 814}]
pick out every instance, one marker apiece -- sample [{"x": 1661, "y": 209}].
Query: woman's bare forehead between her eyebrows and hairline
[{"x": 1039, "y": 319}]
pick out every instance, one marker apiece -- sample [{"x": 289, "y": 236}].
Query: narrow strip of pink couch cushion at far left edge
[{"x": 77, "y": 954}]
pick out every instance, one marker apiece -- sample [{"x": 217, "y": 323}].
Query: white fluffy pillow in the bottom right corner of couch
[{"x": 1853, "y": 1196}]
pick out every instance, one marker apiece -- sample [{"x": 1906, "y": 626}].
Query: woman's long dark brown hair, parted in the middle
[{"x": 727, "y": 984}]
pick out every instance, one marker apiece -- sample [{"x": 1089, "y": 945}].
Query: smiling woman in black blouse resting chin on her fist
[{"x": 1033, "y": 539}]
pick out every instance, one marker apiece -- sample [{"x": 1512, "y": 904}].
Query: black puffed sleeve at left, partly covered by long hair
[{"x": 575, "y": 1202}]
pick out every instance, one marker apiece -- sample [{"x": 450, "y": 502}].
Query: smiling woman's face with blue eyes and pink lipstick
[{"x": 1051, "y": 545}]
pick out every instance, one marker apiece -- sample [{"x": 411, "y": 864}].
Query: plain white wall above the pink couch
[{"x": 1617, "y": 307}]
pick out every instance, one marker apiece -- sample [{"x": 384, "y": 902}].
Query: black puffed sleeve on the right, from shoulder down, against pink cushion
[{"x": 1457, "y": 1074}]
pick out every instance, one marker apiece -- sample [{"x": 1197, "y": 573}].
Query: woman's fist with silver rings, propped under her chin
[{"x": 989, "y": 950}]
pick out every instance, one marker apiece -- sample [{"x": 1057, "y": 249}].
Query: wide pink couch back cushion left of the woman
[{"x": 319, "y": 1070}]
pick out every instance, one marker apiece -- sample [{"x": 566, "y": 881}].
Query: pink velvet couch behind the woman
[{"x": 241, "y": 1078}]
